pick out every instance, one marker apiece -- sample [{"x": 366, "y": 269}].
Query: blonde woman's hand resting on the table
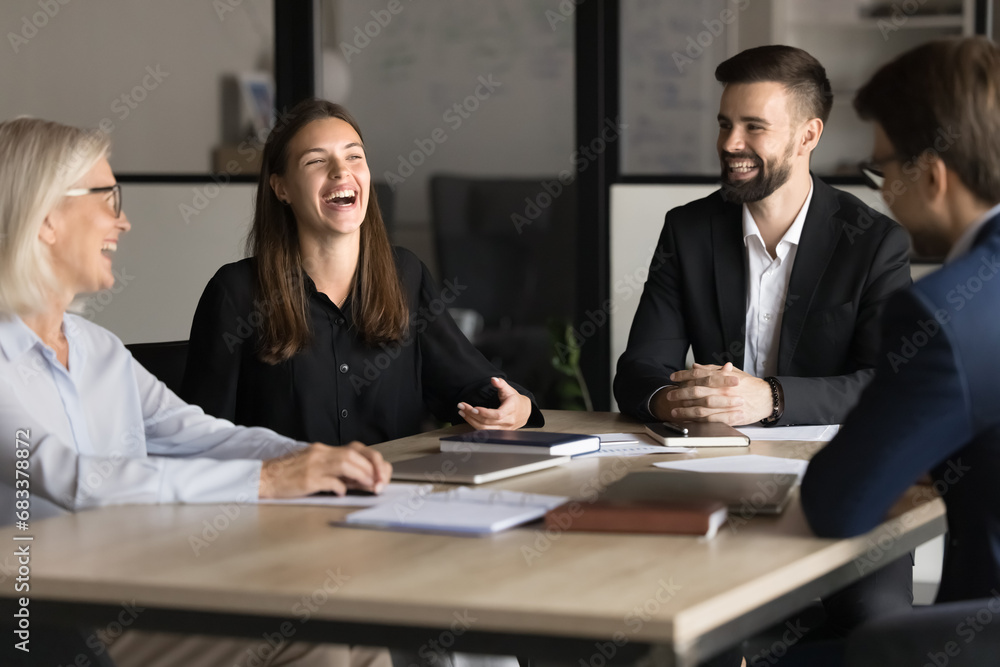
[{"x": 320, "y": 467}]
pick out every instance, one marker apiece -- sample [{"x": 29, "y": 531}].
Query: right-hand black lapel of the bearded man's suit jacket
[{"x": 816, "y": 247}]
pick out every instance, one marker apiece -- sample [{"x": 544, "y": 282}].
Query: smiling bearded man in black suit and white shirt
[{"x": 777, "y": 281}]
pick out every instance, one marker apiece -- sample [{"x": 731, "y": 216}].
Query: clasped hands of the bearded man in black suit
[{"x": 711, "y": 393}]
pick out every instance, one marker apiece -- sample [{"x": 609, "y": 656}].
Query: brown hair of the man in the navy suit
[{"x": 943, "y": 98}]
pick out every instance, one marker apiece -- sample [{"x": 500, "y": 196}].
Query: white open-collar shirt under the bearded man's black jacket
[{"x": 767, "y": 291}]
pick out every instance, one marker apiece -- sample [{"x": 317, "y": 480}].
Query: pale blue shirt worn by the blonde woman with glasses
[{"x": 107, "y": 432}]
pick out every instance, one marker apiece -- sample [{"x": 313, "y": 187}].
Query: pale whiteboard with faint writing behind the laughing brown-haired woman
[{"x": 405, "y": 81}]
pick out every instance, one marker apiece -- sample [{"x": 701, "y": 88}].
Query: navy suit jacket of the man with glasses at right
[{"x": 934, "y": 406}]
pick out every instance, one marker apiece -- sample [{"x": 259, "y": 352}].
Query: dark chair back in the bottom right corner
[{"x": 957, "y": 634}]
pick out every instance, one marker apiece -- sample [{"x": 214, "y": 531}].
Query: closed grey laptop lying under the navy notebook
[{"x": 472, "y": 467}]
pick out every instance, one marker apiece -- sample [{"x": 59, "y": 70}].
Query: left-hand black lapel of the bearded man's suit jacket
[{"x": 730, "y": 279}]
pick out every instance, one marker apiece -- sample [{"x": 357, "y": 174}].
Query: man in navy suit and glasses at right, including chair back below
[{"x": 934, "y": 405}]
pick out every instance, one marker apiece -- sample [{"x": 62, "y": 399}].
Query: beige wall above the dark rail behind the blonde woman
[{"x": 78, "y": 65}]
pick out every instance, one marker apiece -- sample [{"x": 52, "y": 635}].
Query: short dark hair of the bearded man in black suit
[{"x": 800, "y": 73}]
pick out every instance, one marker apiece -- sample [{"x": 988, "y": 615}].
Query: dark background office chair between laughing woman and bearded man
[{"x": 511, "y": 245}]
